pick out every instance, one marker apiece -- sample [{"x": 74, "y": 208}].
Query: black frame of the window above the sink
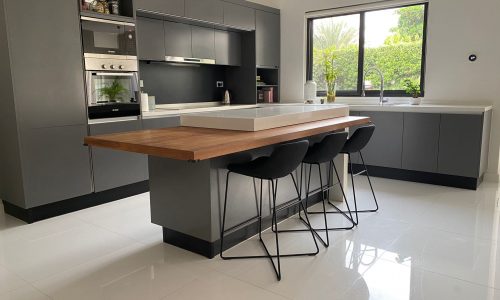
[{"x": 361, "y": 54}]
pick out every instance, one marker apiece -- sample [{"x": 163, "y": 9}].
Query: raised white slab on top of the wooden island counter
[{"x": 264, "y": 117}]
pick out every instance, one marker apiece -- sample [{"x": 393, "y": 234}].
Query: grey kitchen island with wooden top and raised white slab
[{"x": 187, "y": 166}]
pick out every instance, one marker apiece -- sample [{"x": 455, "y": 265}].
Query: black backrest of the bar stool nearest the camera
[{"x": 286, "y": 158}]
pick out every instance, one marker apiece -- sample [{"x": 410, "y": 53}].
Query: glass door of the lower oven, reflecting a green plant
[{"x": 108, "y": 87}]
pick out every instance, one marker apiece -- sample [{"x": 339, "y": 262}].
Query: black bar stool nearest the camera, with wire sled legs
[{"x": 285, "y": 159}]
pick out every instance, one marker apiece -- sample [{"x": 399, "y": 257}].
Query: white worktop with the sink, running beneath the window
[{"x": 423, "y": 108}]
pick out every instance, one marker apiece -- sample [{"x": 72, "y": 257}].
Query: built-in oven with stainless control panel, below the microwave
[{"x": 112, "y": 86}]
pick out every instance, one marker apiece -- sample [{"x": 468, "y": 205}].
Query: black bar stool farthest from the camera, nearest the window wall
[{"x": 355, "y": 144}]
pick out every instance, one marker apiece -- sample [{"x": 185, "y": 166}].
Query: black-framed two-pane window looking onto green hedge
[{"x": 392, "y": 40}]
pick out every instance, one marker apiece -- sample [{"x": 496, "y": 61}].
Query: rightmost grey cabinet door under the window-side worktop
[{"x": 460, "y": 145}]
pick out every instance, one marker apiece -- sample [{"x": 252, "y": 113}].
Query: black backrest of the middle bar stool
[{"x": 327, "y": 149}]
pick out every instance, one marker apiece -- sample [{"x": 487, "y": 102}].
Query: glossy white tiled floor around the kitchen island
[{"x": 427, "y": 242}]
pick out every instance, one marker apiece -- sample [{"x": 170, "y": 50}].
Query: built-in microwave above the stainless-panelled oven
[{"x": 102, "y": 36}]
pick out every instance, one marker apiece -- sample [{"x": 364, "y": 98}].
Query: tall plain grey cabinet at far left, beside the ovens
[{"x": 44, "y": 94}]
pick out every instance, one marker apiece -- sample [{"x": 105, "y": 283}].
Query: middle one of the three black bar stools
[{"x": 322, "y": 152}]
